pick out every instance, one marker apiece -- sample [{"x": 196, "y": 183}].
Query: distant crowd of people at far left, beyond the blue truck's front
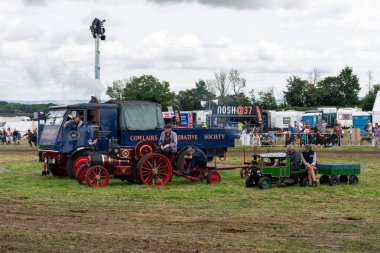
[{"x": 7, "y": 136}]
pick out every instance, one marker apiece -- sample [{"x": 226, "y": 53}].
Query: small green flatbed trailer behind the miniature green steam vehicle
[{"x": 334, "y": 174}]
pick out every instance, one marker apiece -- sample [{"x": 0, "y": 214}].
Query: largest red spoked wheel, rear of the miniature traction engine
[{"x": 154, "y": 169}]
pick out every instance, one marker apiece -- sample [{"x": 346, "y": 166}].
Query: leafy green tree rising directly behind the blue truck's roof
[{"x": 145, "y": 87}]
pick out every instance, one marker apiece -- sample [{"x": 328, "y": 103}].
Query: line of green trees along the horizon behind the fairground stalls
[{"x": 228, "y": 87}]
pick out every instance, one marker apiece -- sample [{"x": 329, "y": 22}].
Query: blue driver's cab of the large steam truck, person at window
[{"x": 73, "y": 127}]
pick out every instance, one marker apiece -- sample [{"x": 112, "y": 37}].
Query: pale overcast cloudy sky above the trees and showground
[{"x": 47, "y": 51}]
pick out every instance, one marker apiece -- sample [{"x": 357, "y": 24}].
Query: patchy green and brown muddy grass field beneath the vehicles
[{"x": 50, "y": 214}]
